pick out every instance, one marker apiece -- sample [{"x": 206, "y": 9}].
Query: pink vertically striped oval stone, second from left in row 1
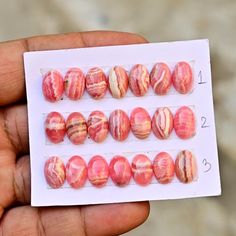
[{"x": 74, "y": 83}]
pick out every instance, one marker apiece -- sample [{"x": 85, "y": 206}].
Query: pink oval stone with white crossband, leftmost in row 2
[{"x": 55, "y": 127}]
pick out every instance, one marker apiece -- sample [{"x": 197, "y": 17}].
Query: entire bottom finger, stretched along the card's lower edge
[{"x": 112, "y": 219}]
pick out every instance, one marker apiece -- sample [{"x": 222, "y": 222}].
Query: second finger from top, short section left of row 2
[{"x": 14, "y": 129}]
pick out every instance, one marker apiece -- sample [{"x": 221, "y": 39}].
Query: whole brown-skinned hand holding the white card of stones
[{"x": 16, "y": 215}]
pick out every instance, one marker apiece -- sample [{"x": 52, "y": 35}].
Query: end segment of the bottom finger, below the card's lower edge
[{"x": 114, "y": 219}]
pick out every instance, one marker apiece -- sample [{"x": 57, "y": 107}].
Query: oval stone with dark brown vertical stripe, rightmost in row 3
[{"x": 186, "y": 167}]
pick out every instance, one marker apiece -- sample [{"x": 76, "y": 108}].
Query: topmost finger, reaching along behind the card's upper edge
[{"x": 12, "y": 83}]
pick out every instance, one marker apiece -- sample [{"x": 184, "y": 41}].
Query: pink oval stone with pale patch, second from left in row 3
[{"x": 76, "y": 172}]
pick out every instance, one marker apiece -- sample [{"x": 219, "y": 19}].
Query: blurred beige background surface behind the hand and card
[{"x": 158, "y": 21}]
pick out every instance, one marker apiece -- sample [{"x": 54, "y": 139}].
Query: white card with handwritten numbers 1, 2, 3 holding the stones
[{"x": 203, "y": 145}]
